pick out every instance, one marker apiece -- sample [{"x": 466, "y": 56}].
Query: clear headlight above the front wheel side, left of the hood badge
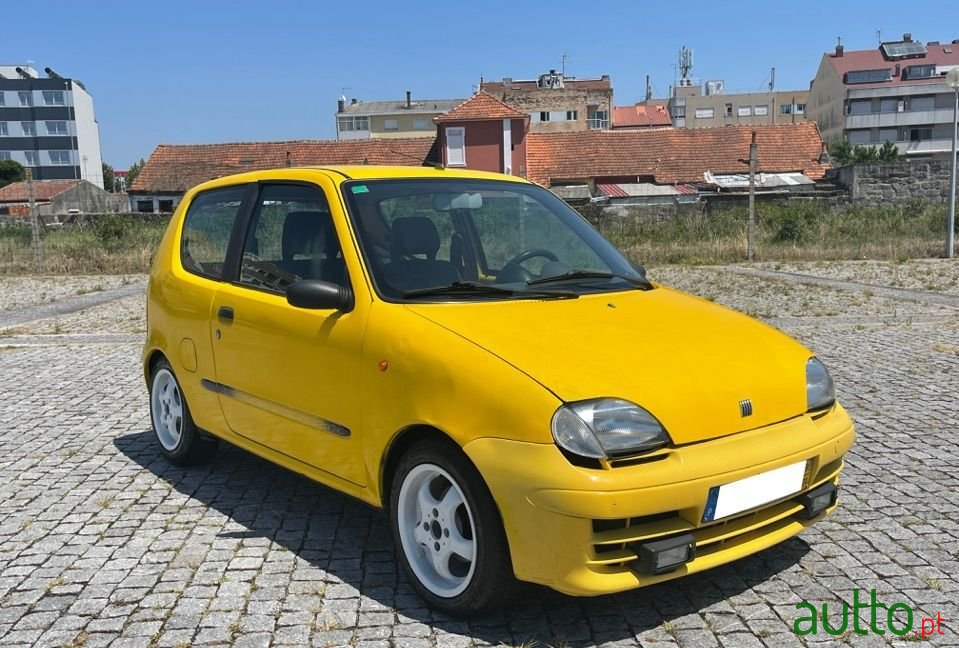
[{"x": 600, "y": 428}]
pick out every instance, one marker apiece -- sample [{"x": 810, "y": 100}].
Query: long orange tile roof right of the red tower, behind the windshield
[{"x": 672, "y": 155}]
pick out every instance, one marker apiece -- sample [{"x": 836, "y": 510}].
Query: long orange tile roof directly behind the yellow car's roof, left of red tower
[{"x": 176, "y": 168}]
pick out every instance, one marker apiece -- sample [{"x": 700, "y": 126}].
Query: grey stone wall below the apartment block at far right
[{"x": 895, "y": 183}]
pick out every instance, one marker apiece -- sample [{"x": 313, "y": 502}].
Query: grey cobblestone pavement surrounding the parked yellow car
[{"x": 104, "y": 543}]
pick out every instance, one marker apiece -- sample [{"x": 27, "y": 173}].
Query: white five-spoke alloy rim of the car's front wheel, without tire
[{"x": 436, "y": 530}]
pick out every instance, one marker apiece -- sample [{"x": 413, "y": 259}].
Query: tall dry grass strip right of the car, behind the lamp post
[{"x": 794, "y": 231}]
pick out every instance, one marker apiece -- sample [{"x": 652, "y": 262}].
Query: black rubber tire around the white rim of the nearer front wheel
[{"x": 491, "y": 582}]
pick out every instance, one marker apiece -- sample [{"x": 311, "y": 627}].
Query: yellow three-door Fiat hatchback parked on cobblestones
[{"x": 464, "y": 351}]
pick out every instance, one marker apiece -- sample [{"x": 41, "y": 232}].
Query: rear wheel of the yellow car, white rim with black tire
[{"x": 178, "y": 437}]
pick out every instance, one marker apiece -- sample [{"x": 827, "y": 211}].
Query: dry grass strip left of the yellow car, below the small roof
[{"x": 113, "y": 244}]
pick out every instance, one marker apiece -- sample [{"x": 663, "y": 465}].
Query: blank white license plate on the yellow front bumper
[{"x": 744, "y": 494}]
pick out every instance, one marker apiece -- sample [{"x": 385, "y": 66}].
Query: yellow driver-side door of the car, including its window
[{"x": 287, "y": 377}]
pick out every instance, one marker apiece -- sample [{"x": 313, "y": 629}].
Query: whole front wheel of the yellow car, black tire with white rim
[{"x": 448, "y": 531}]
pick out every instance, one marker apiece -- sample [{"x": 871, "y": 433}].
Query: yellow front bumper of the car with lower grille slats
[{"x": 571, "y": 528}]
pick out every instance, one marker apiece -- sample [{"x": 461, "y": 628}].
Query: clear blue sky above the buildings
[{"x": 205, "y": 71}]
